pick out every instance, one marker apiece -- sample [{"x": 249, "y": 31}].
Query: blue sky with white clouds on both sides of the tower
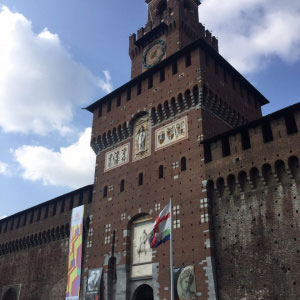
[{"x": 59, "y": 56}]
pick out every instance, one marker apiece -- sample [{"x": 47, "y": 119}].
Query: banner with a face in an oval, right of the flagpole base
[{"x": 184, "y": 283}]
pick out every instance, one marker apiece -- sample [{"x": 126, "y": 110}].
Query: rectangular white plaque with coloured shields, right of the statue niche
[{"x": 171, "y": 133}]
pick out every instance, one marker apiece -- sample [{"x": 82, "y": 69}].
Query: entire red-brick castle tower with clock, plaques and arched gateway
[{"x": 147, "y": 136}]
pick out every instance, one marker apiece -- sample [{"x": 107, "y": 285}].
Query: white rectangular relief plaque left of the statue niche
[{"x": 117, "y": 157}]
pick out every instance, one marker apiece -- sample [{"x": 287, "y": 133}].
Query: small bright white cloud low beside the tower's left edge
[{"x": 72, "y": 166}]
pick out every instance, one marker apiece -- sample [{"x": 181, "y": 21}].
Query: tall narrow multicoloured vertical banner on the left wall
[{"x": 75, "y": 254}]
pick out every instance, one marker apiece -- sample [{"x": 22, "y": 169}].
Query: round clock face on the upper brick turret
[{"x": 153, "y": 54}]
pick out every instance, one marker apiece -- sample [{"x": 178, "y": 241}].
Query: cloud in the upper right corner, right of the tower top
[{"x": 252, "y": 32}]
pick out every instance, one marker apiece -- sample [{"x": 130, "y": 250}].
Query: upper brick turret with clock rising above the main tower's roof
[{"x": 172, "y": 23}]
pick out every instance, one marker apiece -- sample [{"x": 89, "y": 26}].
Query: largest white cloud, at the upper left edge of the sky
[{"x": 40, "y": 82}]
